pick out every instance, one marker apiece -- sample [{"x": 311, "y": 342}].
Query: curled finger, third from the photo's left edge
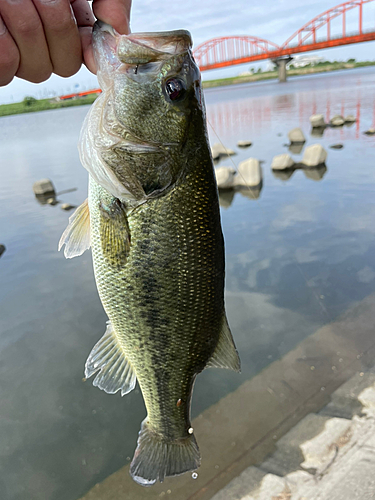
[{"x": 61, "y": 33}]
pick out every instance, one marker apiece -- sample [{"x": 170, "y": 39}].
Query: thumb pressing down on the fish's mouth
[{"x": 114, "y": 12}]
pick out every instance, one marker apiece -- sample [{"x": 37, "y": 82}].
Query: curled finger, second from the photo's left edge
[{"x": 24, "y": 24}]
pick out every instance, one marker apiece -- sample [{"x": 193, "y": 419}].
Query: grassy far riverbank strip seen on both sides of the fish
[{"x": 46, "y": 104}]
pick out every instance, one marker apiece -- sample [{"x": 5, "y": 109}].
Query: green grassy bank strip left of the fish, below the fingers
[{"x": 30, "y": 104}]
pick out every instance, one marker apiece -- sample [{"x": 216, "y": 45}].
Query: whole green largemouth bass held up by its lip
[{"x": 152, "y": 221}]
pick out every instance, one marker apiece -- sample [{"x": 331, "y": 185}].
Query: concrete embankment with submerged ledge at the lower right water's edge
[{"x": 245, "y": 429}]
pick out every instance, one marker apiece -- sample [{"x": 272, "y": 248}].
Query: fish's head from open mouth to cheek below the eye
[{"x": 153, "y": 82}]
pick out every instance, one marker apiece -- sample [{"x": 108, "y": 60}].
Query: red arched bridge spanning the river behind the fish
[{"x": 314, "y": 35}]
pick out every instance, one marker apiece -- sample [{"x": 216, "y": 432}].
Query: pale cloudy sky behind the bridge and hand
[{"x": 274, "y": 20}]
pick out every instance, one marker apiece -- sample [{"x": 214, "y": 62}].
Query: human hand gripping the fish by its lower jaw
[{"x": 41, "y": 37}]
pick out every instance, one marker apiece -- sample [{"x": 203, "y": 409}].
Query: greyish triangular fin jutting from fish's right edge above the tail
[{"x": 225, "y": 354}]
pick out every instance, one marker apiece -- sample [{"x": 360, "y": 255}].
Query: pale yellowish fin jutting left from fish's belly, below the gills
[{"x": 76, "y": 236}]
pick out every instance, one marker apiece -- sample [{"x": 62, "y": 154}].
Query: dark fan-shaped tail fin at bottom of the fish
[{"x": 156, "y": 458}]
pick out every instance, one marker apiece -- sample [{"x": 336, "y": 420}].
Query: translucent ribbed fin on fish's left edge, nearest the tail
[{"x": 108, "y": 358}]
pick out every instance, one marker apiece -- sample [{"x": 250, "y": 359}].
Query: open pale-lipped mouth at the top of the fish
[{"x": 143, "y": 48}]
